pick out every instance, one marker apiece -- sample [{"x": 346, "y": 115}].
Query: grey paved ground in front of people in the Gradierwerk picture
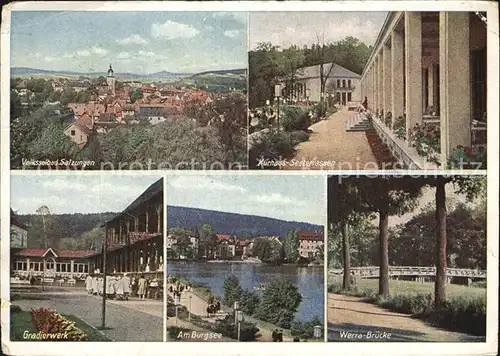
[{"x": 125, "y": 321}]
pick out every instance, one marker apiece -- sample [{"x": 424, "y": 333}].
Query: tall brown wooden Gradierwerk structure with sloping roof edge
[{"x": 135, "y": 236}]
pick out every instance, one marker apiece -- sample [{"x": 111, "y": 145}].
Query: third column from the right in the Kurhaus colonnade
[{"x": 397, "y": 74}]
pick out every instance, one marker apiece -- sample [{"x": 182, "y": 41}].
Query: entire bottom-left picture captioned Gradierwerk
[{"x": 87, "y": 257}]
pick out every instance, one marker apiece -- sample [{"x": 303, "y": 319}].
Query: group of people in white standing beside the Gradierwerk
[{"x": 118, "y": 287}]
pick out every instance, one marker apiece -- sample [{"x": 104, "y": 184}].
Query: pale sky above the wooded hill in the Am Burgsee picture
[{"x": 298, "y": 198}]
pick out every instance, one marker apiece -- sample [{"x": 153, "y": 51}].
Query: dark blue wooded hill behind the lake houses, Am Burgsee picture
[{"x": 231, "y": 223}]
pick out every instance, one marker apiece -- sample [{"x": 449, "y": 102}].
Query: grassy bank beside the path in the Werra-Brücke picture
[{"x": 465, "y": 310}]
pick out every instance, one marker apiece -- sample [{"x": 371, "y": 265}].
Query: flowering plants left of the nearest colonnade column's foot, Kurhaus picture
[{"x": 426, "y": 141}]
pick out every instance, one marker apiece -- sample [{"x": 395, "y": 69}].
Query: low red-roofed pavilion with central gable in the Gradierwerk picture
[{"x": 50, "y": 263}]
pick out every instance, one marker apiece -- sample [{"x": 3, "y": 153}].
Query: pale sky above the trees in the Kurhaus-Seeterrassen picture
[{"x": 300, "y": 28}]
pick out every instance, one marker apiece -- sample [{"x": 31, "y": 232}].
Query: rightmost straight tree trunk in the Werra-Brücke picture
[{"x": 440, "y": 284}]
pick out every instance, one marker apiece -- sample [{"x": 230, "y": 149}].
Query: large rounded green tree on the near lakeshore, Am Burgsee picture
[{"x": 279, "y": 303}]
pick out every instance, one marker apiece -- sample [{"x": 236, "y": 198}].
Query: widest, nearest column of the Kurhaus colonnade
[{"x": 454, "y": 80}]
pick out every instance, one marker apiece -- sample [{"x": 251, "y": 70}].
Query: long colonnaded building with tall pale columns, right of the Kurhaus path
[{"x": 429, "y": 68}]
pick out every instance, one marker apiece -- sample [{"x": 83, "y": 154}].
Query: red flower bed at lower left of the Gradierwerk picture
[{"x": 53, "y": 324}]
